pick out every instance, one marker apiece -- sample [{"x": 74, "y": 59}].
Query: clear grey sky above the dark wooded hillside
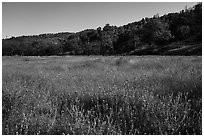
[{"x": 33, "y": 18}]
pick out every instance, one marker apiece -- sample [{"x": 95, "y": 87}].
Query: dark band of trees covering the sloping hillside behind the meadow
[{"x": 144, "y": 37}]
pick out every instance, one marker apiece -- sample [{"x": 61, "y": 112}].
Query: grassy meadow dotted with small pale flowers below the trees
[{"x": 102, "y": 95}]
